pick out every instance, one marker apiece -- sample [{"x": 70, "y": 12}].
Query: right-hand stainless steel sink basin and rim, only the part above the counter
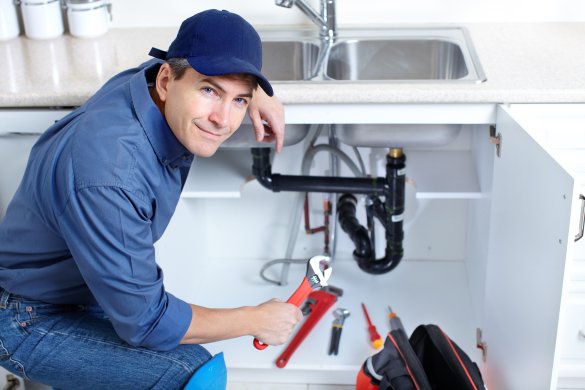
[{"x": 405, "y": 55}]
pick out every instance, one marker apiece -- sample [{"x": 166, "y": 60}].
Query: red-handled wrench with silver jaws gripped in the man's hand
[{"x": 318, "y": 273}]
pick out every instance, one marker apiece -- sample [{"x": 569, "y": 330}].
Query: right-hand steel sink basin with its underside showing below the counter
[{"x": 438, "y": 55}]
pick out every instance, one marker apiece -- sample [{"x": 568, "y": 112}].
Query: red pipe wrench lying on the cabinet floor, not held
[{"x": 319, "y": 302}]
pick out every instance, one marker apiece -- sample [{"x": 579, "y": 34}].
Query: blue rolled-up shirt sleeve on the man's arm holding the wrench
[{"x": 108, "y": 231}]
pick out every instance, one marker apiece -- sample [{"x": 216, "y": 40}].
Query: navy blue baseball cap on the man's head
[{"x": 218, "y": 43}]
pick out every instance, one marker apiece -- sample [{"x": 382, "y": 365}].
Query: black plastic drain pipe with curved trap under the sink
[{"x": 389, "y": 212}]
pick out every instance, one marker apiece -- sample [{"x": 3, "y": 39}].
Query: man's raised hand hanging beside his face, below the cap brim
[{"x": 267, "y": 116}]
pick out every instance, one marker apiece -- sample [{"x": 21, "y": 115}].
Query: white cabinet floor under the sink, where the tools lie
[{"x": 408, "y": 290}]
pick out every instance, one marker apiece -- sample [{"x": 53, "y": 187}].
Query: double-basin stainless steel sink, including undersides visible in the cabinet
[{"x": 401, "y": 55}]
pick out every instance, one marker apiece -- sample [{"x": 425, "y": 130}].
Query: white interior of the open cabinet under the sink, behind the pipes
[{"x": 222, "y": 242}]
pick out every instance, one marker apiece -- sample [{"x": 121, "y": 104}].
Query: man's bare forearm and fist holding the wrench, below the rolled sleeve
[{"x": 270, "y": 322}]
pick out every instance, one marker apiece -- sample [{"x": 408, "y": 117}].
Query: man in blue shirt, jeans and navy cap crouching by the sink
[{"x": 82, "y": 301}]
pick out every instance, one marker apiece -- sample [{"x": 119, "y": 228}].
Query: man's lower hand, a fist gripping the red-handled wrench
[{"x": 275, "y": 321}]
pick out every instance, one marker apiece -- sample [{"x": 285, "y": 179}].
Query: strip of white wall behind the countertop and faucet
[{"x": 155, "y": 13}]
